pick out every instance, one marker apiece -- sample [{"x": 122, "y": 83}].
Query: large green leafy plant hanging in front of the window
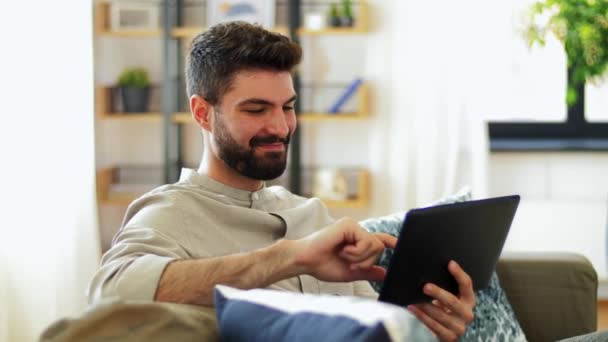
[{"x": 582, "y": 27}]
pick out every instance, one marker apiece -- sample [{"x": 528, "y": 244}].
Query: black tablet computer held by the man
[{"x": 471, "y": 233}]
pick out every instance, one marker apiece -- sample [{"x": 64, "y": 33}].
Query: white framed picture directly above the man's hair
[{"x": 254, "y": 11}]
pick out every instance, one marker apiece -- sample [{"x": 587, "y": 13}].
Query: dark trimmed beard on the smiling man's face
[{"x": 243, "y": 160}]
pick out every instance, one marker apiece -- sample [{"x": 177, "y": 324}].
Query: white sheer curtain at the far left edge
[{"x": 48, "y": 236}]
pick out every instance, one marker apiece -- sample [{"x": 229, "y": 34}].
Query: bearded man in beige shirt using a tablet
[{"x": 220, "y": 224}]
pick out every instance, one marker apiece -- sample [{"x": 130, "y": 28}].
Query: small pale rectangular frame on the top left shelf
[{"x": 134, "y": 16}]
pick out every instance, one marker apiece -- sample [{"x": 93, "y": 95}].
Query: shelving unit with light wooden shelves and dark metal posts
[{"x": 170, "y": 116}]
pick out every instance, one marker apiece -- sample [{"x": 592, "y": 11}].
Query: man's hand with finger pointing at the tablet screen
[{"x": 343, "y": 252}]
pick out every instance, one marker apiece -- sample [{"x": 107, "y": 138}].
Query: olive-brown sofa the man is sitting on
[{"x": 554, "y": 296}]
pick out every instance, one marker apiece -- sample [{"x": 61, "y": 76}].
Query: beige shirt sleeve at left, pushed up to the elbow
[{"x": 132, "y": 267}]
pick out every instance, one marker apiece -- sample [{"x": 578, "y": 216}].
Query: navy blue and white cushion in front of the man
[{"x": 269, "y": 315}]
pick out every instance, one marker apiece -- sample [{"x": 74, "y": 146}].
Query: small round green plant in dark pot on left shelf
[{"x": 134, "y": 86}]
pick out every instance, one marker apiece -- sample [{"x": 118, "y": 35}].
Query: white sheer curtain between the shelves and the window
[{"x": 442, "y": 56}]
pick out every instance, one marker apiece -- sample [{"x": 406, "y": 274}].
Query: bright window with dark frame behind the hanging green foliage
[{"x": 531, "y": 114}]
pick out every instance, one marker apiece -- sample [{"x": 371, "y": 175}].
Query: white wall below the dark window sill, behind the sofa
[{"x": 564, "y": 201}]
